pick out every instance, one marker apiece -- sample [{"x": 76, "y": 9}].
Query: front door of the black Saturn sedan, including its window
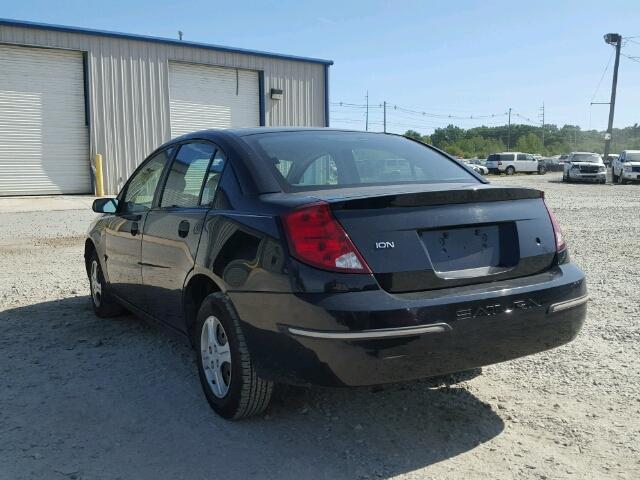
[{"x": 123, "y": 232}]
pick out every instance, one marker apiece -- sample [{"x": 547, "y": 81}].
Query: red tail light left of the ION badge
[{"x": 315, "y": 237}]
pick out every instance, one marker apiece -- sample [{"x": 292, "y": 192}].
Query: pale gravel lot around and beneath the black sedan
[{"x": 87, "y": 398}]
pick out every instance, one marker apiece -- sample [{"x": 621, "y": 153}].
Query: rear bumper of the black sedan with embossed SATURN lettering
[{"x": 373, "y": 337}]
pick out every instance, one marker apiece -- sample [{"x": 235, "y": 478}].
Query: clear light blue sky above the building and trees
[{"x": 459, "y": 59}]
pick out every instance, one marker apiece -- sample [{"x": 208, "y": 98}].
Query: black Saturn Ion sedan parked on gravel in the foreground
[{"x": 326, "y": 257}]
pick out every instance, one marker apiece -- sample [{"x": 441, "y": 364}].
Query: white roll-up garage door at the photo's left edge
[{"x": 43, "y": 136}]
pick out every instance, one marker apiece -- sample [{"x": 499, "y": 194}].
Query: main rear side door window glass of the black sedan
[{"x": 186, "y": 177}]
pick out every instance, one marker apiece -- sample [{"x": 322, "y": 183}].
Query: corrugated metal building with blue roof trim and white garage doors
[{"x": 68, "y": 93}]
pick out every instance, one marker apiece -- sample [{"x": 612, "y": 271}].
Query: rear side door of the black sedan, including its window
[{"x": 172, "y": 229}]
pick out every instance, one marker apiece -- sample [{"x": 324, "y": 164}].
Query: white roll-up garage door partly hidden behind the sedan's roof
[{"x": 203, "y": 96}]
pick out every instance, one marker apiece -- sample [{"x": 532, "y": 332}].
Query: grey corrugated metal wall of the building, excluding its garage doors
[{"x": 128, "y": 90}]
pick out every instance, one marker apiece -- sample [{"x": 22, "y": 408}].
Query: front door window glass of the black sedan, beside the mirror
[{"x": 142, "y": 187}]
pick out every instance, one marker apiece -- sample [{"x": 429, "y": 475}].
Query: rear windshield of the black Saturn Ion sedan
[{"x": 313, "y": 160}]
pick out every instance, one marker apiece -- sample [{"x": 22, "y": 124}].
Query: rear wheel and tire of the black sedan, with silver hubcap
[{"x": 227, "y": 375}]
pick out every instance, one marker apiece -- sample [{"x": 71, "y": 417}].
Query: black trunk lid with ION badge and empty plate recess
[{"x": 443, "y": 235}]
